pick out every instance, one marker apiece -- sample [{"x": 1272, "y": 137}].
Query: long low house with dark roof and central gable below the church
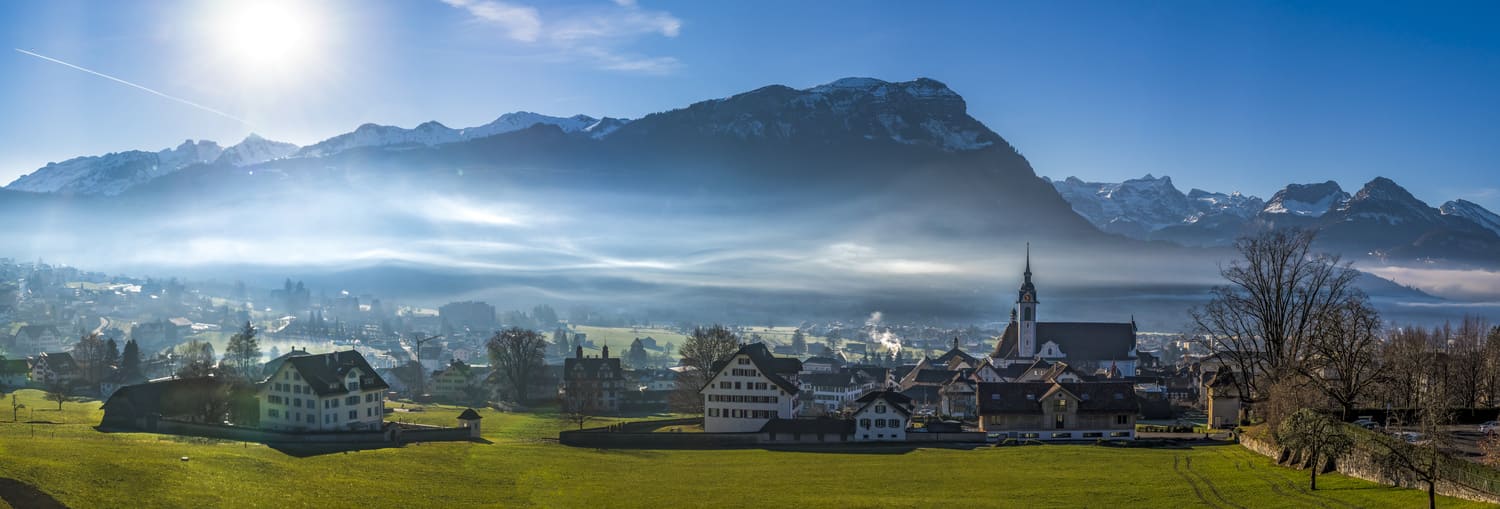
[{"x": 1055, "y": 411}]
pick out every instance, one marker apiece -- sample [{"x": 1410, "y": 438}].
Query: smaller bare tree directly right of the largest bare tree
[{"x": 1346, "y": 354}]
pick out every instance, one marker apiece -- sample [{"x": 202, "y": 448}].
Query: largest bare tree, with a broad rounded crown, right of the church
[{"x": 1264, "y": 322}]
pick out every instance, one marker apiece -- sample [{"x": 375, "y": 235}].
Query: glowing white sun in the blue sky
[{"x": 269, "y": 35}]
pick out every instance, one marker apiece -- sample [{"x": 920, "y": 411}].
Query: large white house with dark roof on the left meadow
[{"x": 322, "y": 393}]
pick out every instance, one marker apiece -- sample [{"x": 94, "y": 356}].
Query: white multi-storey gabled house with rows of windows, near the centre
[{"x": 751, "y": 388}]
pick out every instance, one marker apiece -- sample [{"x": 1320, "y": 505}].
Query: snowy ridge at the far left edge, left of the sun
[{"x": 115, "y": 173}]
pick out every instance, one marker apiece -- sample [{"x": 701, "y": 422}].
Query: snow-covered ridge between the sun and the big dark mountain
[{"x": 431, "y": 134}]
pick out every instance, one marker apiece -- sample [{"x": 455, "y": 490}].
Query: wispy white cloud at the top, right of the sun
[{"x": 596, "y": 35}]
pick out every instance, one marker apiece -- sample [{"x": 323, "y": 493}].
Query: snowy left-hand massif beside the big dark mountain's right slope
[{"x": 1139, "y": 208}]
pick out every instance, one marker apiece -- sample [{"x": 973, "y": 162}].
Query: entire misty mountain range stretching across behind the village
[{"x": 851, "y": 197}]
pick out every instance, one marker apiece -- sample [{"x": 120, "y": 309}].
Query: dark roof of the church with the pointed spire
[{"x": 1078, "y": 340}]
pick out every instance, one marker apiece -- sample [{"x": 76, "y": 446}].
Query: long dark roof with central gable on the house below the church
[{"x": 1027, "y": 397}]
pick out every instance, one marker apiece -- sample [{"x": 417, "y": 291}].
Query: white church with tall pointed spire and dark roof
[{"x": 1105, "y": 349}]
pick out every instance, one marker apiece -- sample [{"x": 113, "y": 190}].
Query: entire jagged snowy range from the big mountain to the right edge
[{"x": 1381, "y": 221}]
